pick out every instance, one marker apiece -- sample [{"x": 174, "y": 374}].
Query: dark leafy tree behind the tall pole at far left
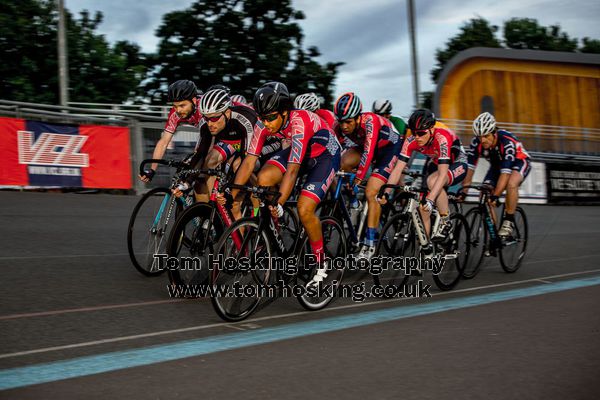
[{"x": 98, "y": 72}]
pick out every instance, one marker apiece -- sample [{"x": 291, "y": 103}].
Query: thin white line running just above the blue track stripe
[{"x": 271, "y": 317}]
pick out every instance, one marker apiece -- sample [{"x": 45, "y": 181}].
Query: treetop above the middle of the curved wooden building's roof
[{"x": 526, "y": 33}]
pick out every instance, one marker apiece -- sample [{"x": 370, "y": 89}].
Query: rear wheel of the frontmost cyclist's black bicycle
[{"x": 334, "y": 243}]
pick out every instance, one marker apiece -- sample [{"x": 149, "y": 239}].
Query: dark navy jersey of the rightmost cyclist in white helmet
[{"x": 503, "y": 156}]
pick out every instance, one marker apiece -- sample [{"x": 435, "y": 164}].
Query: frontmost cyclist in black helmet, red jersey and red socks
[{"x": 314, "y": 153}]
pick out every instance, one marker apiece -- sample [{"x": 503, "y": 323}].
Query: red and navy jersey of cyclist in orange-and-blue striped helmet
[{"x": 372, "y": 134}]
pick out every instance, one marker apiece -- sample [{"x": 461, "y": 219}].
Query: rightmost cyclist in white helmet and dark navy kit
[{"x": 509, "y": 164}]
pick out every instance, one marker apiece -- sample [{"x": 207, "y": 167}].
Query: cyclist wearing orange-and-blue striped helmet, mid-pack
[{"x": 368, "y": 140}]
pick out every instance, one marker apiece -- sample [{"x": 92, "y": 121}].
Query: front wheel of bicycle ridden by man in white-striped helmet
[{"x": 191, "y": 241}]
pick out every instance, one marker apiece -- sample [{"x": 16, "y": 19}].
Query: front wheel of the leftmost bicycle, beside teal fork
[{"x": 151, "y": 220}]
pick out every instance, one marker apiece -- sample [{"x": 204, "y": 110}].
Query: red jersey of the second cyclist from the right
[{"x": 443, "y": 148}]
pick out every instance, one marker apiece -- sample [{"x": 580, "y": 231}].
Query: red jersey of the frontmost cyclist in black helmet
[{"x": 308, "y": 135}]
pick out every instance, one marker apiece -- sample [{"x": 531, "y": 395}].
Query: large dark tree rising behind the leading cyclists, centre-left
[{"x": 240, "y": 43}]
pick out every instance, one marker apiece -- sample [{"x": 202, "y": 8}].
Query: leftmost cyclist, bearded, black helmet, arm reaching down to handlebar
[{"x": 184, "y": 96}]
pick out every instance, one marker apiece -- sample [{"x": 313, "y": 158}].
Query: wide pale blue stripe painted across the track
[{"x": 89, "y": 365}]
